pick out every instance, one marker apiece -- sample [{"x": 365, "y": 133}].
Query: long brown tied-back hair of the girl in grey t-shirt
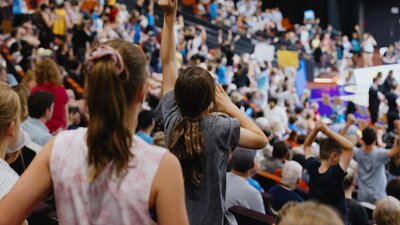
[{"x": 194, "y": 93}]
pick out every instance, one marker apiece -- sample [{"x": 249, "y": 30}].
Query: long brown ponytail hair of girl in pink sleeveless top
[{"x": 109, "y": 136}]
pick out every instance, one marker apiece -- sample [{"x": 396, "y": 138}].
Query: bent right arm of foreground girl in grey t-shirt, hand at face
[{"x": 251, "y": 136}]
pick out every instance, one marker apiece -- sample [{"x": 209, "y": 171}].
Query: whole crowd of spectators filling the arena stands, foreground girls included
[{"x": 137, "y": 124}]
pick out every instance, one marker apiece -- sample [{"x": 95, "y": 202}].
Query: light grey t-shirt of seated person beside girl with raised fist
[{"x": 240, "y": 193}]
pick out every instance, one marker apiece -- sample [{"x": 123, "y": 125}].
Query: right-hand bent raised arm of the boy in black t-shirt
[{"x": 346, "y": 145}]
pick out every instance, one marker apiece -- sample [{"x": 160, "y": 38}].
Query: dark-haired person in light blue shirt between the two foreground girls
[{"x": 146, "y": 125}]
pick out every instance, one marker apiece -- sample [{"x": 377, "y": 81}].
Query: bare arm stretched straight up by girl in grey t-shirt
[{"x": 168, "y": 48}]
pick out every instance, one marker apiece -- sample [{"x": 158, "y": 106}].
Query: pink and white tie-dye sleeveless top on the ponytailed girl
[{"x": 108, "y": 199}]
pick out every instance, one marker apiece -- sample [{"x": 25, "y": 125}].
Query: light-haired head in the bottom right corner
[{"x": 387, "y": 211}]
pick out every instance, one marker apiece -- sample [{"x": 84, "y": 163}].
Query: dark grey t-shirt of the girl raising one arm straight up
[{"x": 206, "y": 204}]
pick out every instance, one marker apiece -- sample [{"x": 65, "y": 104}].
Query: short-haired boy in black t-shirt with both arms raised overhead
[{"x": 326, "y": 177}]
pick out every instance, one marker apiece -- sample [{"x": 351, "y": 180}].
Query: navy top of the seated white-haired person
[{"x": 282, "y": 196}]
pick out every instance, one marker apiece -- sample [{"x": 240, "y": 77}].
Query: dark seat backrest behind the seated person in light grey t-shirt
[{"x": 246, "y": 216}]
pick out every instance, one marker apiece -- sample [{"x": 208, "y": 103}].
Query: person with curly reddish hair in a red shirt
[{"x": 48, "y": 78}]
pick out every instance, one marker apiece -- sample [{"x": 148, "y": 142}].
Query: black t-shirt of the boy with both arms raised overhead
[{"x": 327, "y": 187}]
